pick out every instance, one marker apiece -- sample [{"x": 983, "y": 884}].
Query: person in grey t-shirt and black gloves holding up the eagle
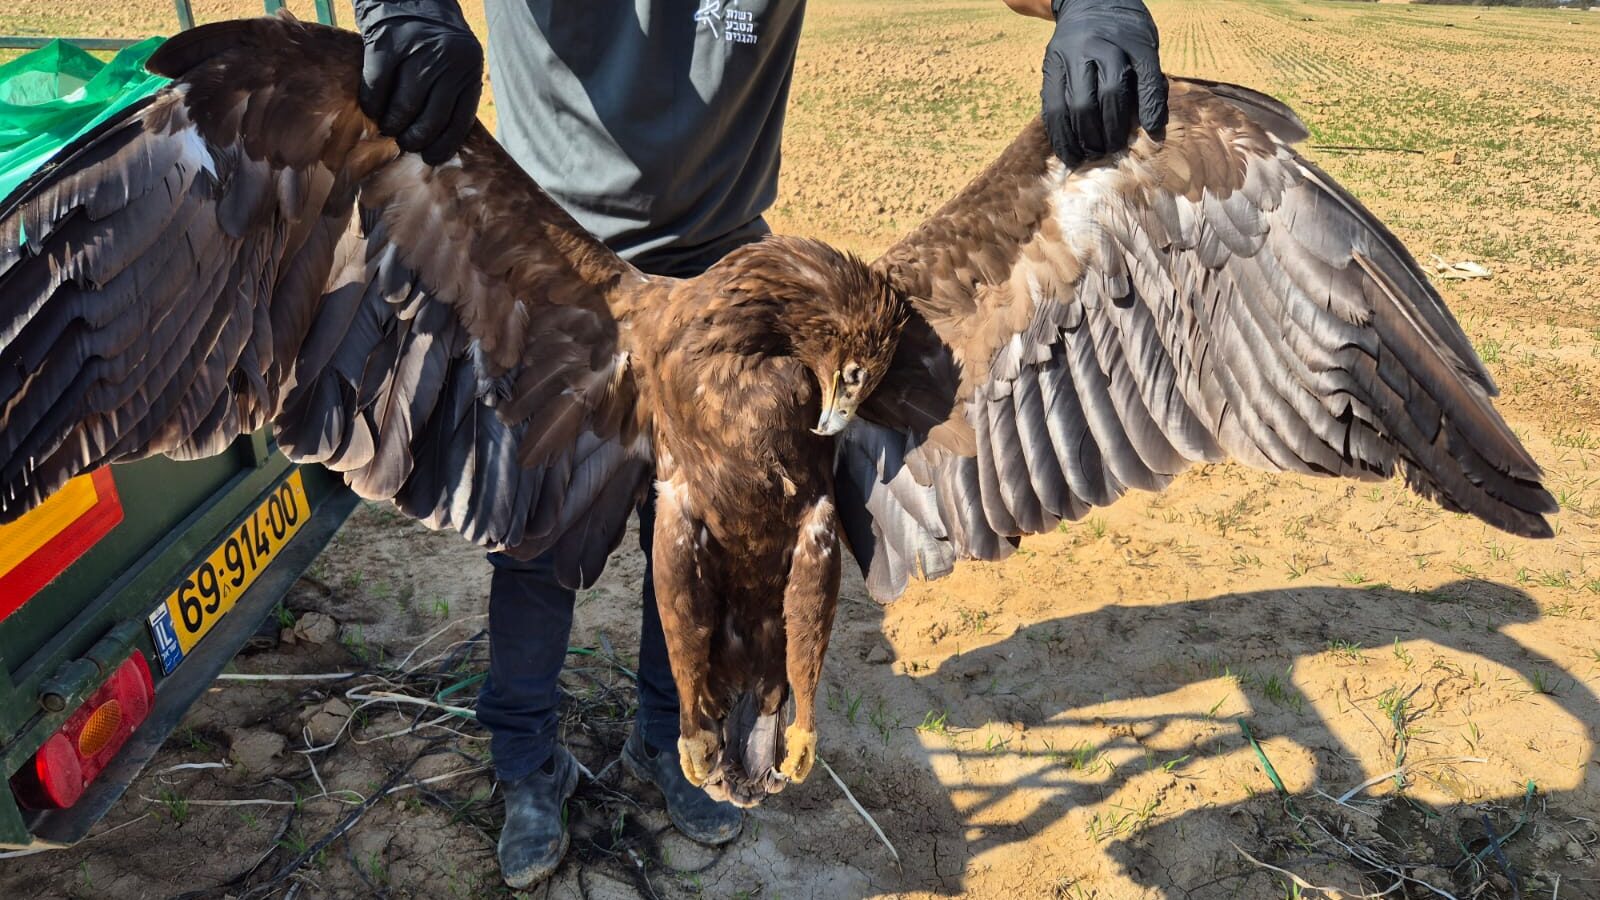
[{"x": 658, "y": 124}]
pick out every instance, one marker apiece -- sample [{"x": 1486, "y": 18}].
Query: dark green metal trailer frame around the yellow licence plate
[{"x": 66, "y": 641}]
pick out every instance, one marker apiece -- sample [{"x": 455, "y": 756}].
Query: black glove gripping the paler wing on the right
[{"x": 1102, "y": 66}]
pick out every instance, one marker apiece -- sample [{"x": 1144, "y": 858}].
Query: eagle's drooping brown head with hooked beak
[{"x": 838, "y": 316}]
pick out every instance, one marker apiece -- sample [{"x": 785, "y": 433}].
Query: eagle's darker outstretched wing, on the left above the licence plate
[{"x": 244, "y": 249}]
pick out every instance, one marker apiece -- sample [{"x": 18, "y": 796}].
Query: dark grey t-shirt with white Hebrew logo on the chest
[{"x": 657, "y": 124}]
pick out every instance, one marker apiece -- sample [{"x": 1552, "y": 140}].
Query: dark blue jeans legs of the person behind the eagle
[{"x": 530, "y": 622}]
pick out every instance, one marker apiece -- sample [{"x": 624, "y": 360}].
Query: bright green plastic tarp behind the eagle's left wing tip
[{"x": 58, "y": 92}]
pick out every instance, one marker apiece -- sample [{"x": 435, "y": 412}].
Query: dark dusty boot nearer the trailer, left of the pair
[{"x": 534, "y": 840}]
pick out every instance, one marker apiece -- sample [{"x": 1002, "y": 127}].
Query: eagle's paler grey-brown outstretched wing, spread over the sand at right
[{"x": 1204, "y": 297}]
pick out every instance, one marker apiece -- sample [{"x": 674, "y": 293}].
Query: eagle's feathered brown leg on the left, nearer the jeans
[{"x": 687, "y": 622}]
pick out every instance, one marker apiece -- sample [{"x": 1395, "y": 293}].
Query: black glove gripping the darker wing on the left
[{"x": 422, "y": 76}]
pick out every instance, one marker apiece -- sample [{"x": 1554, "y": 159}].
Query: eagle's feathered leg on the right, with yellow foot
[{"x": 810, "y": 601}]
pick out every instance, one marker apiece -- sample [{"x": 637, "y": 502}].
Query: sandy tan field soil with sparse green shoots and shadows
[{"x": 1076, "y": 721}]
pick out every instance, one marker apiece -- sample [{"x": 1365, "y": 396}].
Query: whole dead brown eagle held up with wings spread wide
[{"x": 244, "y": 249}]
